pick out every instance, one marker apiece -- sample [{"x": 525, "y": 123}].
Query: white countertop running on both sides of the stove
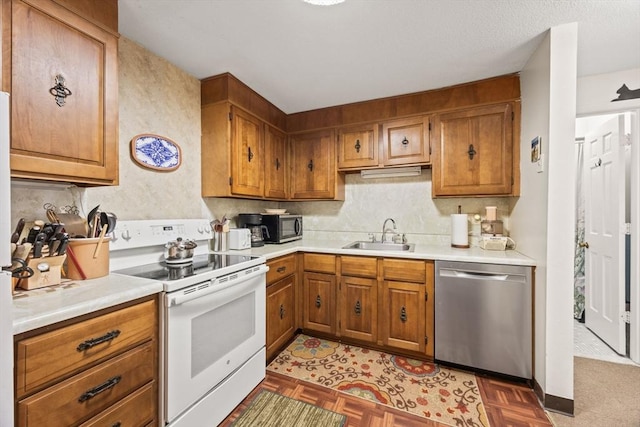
[{"x": 41, "y": 307}]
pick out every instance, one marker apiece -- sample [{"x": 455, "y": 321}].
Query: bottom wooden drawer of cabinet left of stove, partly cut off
[{"x": 138, "y": 409}]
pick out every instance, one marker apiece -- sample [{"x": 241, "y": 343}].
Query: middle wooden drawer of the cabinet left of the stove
[{"x": 91, "y": 392}]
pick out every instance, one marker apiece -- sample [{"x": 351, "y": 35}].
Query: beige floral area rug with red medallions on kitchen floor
[{"x": 421, "y": 388}]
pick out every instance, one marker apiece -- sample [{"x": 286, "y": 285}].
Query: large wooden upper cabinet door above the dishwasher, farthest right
[{"x": 473, "y": 152}]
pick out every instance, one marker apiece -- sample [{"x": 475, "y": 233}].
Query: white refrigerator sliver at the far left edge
[{"x": 6, "y": 300}]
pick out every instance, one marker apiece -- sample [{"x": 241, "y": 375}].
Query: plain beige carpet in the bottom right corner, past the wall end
[{"x": 605, "y": 394}]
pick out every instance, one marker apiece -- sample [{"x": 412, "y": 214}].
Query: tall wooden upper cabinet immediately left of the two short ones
[{"x": 313, "y": 167}]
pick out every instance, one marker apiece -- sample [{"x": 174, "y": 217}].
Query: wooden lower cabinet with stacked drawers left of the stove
[{"x": 110, "y": 380}]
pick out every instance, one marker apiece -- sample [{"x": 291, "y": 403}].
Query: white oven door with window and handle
[{"x": 212, "y": 329}]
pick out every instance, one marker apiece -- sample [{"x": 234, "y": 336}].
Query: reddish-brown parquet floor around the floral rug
[{"x": 507, "y": 404}]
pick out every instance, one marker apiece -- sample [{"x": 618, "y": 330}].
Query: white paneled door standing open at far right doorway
[{"x": 604, "y": 233}]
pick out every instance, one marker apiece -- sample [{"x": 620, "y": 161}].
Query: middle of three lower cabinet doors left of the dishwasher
[{"x": 359, "y": 308}]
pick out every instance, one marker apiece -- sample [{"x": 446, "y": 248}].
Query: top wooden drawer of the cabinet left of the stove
[{"x": 42, "y": 359}]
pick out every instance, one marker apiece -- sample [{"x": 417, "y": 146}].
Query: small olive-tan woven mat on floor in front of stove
[{"x": 270, "y": 409}]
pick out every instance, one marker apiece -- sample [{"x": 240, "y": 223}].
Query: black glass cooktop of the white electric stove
[{"x": 201, "y": 264}]
